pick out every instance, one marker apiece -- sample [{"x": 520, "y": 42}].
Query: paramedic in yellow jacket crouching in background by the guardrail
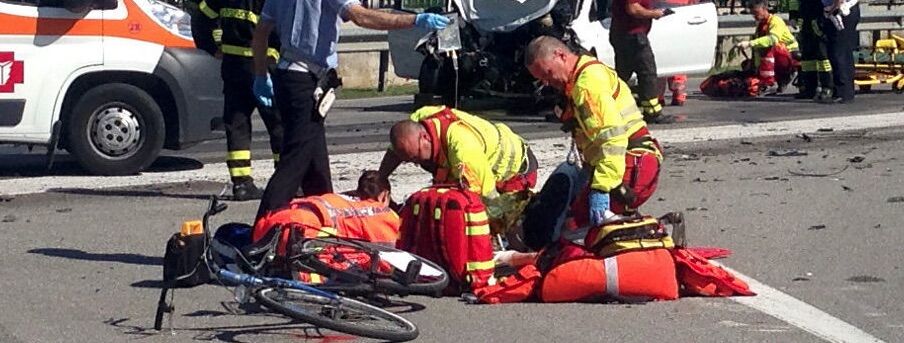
[{"x": 776, "y": 53}]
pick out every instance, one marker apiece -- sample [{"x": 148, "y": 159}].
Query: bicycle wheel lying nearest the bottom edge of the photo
[{"x": 341, "y": 314}]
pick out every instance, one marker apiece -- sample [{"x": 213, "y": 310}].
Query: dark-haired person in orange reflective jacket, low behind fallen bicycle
[{"x": 361, "y": 214}]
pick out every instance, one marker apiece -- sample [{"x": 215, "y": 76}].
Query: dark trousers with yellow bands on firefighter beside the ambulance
[{"x": 239, "y": 104}]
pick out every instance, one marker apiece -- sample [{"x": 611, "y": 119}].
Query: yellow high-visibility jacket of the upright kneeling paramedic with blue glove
[{"x": 606, "y": 115}]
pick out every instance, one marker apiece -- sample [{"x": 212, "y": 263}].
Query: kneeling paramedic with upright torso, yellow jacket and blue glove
[{"x": 618, "y": 153}]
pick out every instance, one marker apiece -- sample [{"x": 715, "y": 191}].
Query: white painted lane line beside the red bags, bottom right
[{"x": 798, "y": 313}]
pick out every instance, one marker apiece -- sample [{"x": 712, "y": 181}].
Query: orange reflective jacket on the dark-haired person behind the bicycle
[{"x": 332, "y": 214}]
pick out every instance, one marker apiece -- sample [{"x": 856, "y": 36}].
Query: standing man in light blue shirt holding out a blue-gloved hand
[{"x": 309, "y": 34}]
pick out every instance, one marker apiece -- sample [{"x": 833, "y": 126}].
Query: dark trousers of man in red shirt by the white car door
[{"x": 634, "y": 55}]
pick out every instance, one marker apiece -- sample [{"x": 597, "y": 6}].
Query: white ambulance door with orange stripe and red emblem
[{"x": 45, "y": 44}]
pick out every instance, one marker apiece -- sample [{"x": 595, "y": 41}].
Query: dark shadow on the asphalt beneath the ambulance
[{"x": 32, "y": 165}]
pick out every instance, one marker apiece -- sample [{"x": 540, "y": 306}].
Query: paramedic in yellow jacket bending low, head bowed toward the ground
[{"x": 460, "y": 148}]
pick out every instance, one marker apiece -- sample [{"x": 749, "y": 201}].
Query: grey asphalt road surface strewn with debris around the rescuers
[{"x": 83, "y": 264}]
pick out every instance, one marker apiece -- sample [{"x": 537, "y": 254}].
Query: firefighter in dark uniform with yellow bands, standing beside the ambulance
[{"x": 237, "y": 20}]
